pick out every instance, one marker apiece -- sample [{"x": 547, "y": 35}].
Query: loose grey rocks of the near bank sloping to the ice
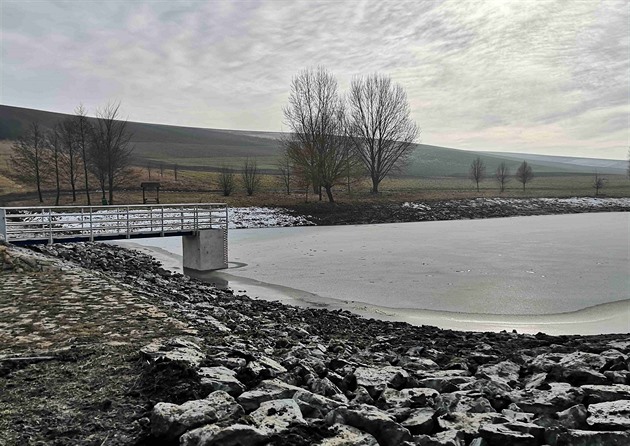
[{"x": 264, "y": 373}]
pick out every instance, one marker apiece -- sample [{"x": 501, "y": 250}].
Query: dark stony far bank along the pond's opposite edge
[{"x": 344, "y": 214}]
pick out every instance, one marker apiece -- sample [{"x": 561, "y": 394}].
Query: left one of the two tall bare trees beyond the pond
[{"x": 317, "y": 144}]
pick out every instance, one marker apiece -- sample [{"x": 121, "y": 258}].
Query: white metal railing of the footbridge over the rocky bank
[{"x": 58, "y": 223}]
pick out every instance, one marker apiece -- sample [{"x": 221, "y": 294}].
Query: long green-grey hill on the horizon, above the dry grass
[{"x": 208, "y": 149}]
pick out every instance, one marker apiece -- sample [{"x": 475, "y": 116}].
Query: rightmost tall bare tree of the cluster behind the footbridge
[{"x": 111, "y": 148}]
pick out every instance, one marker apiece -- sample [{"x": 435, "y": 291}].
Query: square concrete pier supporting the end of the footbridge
[{"x": 206, "y": 250}]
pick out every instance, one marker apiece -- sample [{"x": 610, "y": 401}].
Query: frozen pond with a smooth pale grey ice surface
[{"x": 558, "y": 274}]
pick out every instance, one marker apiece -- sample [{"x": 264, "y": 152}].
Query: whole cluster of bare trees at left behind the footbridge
[{"x": 76, "y": 151}]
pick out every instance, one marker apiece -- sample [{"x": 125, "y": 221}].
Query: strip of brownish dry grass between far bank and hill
[{"x": 193, "y": 186}]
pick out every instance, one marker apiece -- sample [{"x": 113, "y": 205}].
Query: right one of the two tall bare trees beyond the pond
[{"x": 380, "y": 126}]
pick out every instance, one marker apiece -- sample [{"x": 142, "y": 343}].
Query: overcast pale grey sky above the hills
[{"x": 537, "y": 76}]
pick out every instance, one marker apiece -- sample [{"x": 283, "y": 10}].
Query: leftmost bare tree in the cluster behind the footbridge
[{"x": 27, "y": 160}]
